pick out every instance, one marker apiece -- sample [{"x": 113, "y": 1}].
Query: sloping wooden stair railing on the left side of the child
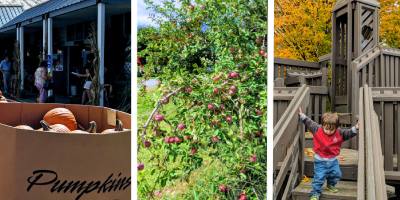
[{"x": 288, "y": 145}]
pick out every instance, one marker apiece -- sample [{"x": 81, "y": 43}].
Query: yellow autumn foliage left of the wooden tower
[{"x": 303, "y": 28}]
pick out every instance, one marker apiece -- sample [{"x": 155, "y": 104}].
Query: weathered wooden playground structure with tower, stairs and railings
[{"x": 364, "y": 86}]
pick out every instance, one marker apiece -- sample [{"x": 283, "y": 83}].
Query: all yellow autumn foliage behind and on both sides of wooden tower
[{"x": 303, "y": 28}]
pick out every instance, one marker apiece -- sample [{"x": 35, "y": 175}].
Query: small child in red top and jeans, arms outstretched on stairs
[{"x": 327, "y": 140}]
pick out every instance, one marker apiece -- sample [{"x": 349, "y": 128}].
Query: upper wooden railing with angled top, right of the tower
[{"x": 378, "y": 67}]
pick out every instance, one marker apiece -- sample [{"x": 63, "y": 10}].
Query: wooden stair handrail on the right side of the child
[{"x": 371, "y": 176}]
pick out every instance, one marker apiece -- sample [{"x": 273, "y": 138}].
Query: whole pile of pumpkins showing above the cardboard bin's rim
[{"x": 62, "y": 120}]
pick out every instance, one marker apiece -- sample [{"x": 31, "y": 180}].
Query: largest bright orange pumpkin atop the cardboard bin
[{"x": 61, "y": 116}]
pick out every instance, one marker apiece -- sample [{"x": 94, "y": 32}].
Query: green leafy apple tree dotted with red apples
[{"x": 210, "y": 58}]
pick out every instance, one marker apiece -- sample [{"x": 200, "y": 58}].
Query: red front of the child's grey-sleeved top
[{"x": 327, "y": 146}]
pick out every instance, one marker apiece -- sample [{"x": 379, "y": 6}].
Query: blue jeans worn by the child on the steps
[{"x": 328, "y": 170}]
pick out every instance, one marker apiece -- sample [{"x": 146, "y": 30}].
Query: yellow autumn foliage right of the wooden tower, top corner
[{"x": 390, "y": 23}]
